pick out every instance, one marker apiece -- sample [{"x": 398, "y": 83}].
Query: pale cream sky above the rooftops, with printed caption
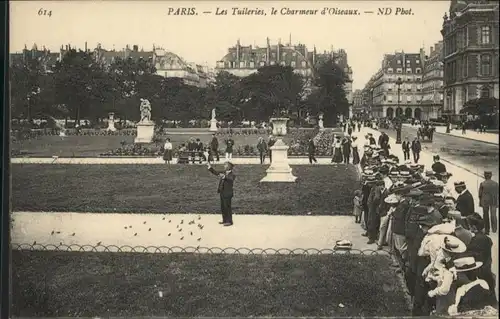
[{"x": 204, "y": 38}]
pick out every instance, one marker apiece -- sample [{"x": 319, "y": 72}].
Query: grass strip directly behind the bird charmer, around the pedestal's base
[{"x": 322, "y": 190}]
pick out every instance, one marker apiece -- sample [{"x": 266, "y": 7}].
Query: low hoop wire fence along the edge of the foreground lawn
[{"x": 192, "y": 249}]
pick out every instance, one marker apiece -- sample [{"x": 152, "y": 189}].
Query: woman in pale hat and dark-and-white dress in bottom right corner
[{"x": 470, "y": 293}]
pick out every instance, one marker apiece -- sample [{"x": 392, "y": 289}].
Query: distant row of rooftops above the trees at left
[{"x": 167, "y": 64}]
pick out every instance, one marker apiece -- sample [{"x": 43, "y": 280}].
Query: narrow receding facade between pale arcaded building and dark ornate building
[{"x": 432, "y": 83}]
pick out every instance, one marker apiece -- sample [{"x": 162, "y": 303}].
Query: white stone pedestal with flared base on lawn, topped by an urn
[{"x": 279, "y": 170}]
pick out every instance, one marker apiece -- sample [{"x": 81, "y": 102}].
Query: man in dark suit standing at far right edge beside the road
[{"x": 488, "y": 200}]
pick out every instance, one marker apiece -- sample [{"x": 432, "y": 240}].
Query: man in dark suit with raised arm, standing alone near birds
[{"x": 225, "y": 190}]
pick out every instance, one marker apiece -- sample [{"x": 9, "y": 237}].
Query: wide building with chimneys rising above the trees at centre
[{"x": 243, "y": 60}]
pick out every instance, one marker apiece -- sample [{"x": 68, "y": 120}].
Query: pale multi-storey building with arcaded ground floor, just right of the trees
[{"x": 386, "y": 97}]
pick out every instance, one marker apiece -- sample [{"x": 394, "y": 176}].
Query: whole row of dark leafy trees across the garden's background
[{"x": 81, "y": 88}]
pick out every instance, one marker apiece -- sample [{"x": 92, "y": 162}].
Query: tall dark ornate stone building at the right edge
[{"x": 470, "y": 37}]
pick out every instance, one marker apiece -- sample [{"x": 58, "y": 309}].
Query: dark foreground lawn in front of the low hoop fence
[{"x": 70, "y": 284}]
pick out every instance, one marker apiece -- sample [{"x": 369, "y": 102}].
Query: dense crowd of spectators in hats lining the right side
[{"x": 439, "y": 242}]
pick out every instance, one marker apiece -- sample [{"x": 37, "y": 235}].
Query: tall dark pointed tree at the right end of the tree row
[{"x": 330, "y": 79}]
